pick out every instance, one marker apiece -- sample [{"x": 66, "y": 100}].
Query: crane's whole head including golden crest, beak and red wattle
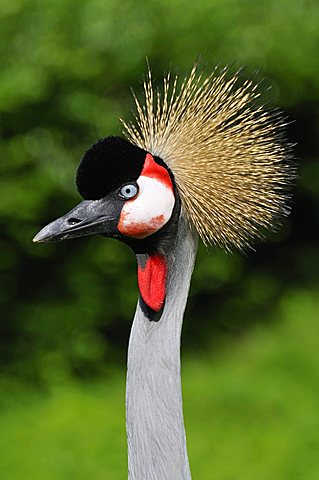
[{"x": 227, "y": 164}]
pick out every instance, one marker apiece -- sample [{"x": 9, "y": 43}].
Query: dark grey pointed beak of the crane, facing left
[{"x": 88, "y": 218}]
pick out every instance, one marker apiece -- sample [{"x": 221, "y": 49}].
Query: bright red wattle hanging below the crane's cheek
[{"x": 152, "y": 281}]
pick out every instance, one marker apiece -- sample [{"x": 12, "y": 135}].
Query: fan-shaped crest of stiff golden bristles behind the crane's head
[{"x": 225, "y": 150}]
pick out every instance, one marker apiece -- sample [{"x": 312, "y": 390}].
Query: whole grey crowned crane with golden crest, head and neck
[{"x": 202, "y": 159}]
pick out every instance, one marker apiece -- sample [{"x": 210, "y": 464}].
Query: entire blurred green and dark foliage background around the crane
[{"x": 250, "y": 340}]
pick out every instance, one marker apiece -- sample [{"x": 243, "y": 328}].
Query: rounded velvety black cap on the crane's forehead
[{"x": 108, "y": 164}]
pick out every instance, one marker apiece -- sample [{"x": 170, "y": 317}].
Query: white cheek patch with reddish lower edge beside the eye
[{"x": 149, "y": 211}]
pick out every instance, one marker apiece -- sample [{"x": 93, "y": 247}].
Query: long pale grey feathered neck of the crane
[{"x": 154, "y": 415}]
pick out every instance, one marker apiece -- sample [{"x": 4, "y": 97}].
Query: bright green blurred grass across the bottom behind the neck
[{"x": 251, "y": 411}]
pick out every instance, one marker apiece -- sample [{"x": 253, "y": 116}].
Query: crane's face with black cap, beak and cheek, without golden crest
[{"x": 128, "y": 194}]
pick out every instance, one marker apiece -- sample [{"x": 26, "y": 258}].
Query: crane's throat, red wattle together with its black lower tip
[{"x": 152, "y": 276}]
